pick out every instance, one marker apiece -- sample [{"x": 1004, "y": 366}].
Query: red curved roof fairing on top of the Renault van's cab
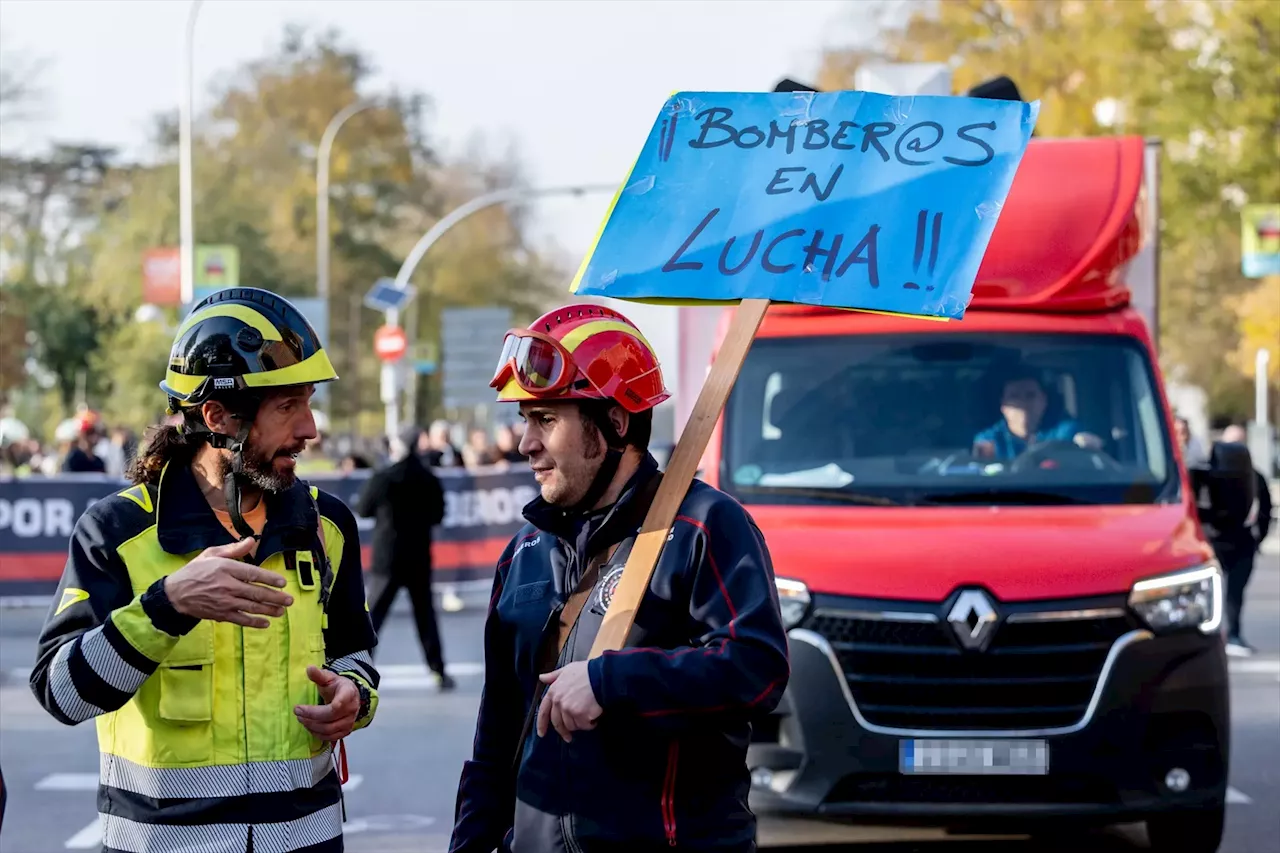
[{"x": 1071, "y": 225}]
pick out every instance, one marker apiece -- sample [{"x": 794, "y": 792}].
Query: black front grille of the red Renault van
[{"x": 915, "y": 676}]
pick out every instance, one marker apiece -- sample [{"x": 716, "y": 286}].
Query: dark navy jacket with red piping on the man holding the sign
[{"x": 666, "y": 765}]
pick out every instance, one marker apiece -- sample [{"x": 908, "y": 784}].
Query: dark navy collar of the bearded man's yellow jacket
[{"x": 186, "y": 523}]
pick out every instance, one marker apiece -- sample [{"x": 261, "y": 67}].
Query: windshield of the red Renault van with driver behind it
[{"x": 948, "y": 419}]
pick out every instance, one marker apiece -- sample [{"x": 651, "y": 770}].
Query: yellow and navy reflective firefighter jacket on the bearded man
[{"x": 195, "y": 719}]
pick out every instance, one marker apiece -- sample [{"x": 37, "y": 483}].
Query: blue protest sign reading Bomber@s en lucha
[{"x": 848, "y": 200}]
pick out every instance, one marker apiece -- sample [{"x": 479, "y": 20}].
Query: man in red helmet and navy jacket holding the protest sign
[{"x": 643, "y": 749}]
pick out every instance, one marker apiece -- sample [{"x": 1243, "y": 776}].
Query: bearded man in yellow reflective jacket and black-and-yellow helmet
[{"x": 212, "y": 618}]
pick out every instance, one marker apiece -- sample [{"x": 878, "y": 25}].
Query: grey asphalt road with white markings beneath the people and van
[{"x": 405, "y": 768}]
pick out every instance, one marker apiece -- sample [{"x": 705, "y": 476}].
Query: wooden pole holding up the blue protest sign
[{"x": 678, "y": 477}]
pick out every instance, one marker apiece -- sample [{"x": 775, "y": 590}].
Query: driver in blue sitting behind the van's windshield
[{"x": 1025, "y": 407}]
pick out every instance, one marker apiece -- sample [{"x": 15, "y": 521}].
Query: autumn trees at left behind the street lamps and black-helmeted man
[{"x": 255, "y": 188}]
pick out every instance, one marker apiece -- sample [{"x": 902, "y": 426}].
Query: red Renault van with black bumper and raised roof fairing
[{"x": 1002, "y": 604}]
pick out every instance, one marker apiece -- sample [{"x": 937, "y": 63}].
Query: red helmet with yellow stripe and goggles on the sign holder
[{"x": 580, "y": 353}]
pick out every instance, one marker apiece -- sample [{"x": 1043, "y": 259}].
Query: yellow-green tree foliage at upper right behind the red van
[{"x": 1200, "y": 76}]
